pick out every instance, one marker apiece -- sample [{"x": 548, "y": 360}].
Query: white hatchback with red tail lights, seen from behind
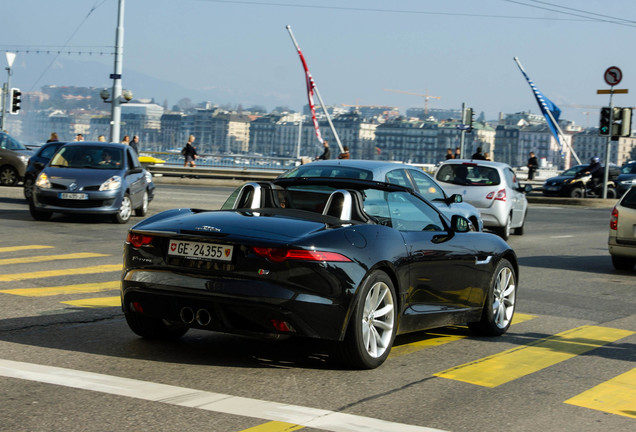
[{"x": 492, "y": 187}]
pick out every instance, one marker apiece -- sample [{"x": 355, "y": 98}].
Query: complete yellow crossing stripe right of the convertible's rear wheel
[{"x": 509, "y": 365}]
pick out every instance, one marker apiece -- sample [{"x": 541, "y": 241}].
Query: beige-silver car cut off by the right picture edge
[{"x": 622, "y": 235}]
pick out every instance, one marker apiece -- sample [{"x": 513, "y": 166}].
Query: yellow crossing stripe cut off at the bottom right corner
[{"x": 616, "y": 396}]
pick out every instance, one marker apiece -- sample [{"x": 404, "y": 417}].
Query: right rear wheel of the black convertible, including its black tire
[{"x": 370, "y": 337}]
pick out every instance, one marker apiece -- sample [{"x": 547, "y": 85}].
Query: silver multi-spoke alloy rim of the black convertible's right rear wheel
[{"x": 377, "y": 319}]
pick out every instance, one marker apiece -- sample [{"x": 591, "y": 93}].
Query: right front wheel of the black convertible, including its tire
[{"x": 500, "y": 303}]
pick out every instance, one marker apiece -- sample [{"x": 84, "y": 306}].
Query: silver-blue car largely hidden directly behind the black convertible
[{"x": 396, "y": 173}]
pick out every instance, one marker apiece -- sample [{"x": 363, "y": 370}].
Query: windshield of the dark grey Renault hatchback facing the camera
[{"x": 90, "y": 156}]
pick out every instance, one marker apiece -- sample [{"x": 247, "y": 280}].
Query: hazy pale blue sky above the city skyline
[{"x": 240, "y": 52}]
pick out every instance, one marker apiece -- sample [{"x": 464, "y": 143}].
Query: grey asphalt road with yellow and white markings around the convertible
[{"x": 68, "y": 361}]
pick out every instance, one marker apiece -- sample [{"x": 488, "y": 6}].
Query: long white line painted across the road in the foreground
[{"x": 209, "y": 401}]
